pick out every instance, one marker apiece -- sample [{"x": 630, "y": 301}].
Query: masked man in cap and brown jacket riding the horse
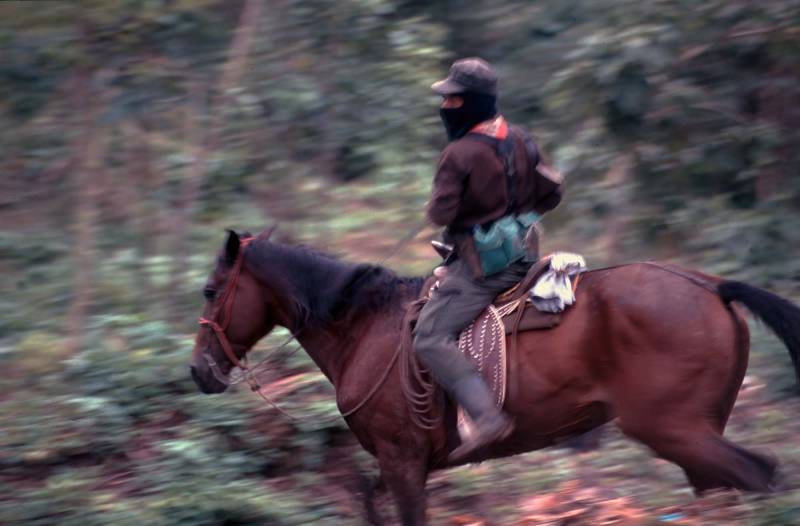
[{"x": 489, "y": 187}]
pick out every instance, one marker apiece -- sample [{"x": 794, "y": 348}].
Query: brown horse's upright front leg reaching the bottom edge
[{"x": 404, "y": 470}]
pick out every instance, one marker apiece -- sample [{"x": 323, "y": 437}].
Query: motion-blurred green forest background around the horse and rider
[{"x": 133, "y": 132}]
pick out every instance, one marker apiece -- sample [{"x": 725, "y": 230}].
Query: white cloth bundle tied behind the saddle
[{"x": 553, "y": 290}]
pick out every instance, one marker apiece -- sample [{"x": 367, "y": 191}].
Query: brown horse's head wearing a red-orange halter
[{"x": 234, "y": 318}]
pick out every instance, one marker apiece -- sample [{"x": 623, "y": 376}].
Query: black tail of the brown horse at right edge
[{"x": 780, "y": 315}]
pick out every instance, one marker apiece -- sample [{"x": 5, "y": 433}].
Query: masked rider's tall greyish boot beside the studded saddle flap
[{"x": 491, "y": 424}]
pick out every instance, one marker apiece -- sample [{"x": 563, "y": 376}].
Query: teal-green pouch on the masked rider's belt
[{"x": 502, "y": 243}]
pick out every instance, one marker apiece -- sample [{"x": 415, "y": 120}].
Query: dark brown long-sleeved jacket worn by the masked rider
[{"x": 470, "y": 183}]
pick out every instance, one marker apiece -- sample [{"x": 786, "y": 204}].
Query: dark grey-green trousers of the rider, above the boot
[{"x": 457, "y": 302}]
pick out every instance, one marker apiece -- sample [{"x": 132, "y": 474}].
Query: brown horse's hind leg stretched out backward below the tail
[{"x": 709, "y": 460}]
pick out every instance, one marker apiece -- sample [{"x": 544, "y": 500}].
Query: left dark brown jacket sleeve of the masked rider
[{"x": 448, "y": 186}]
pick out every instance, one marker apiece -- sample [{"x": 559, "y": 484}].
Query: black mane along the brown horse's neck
[{"x": 326, "y": 290}]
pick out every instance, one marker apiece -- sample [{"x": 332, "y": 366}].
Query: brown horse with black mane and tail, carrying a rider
[{"x": 658, "y": 348}]
